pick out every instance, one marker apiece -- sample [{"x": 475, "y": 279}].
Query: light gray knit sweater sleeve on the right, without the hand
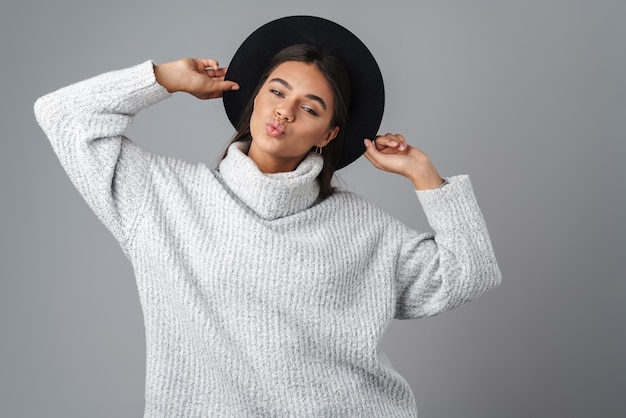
[{"x": 456, "y": 264}]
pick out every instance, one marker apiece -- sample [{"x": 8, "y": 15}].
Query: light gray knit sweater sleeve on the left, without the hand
[{"x": 85, "y": 123}]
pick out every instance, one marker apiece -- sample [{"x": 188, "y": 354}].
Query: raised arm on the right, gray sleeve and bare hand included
[{"x": 455, "y": 265}]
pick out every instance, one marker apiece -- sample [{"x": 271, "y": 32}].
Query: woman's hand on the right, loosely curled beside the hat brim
[{"x": 391, "y": 153}]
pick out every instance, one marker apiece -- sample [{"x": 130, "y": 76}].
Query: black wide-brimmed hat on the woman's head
[{"x": 368, "y": 93}]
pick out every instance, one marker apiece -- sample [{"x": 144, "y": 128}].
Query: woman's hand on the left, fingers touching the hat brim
[{"x": 201, "y": 77}]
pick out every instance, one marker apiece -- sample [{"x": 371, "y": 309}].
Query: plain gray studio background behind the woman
[{"x": 528, "y": 97}]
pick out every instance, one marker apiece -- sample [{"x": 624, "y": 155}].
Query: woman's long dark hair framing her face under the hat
[{"x": 335, "y": 73}]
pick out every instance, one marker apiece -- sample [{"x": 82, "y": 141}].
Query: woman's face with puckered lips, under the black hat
[{"x": 292, "y": 114}]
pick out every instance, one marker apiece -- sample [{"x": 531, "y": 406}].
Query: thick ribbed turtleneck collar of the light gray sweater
[{"x": 271, "y": 196}]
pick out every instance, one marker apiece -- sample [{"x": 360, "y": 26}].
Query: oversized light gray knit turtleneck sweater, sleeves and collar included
[{"x": 258, "y": 300}]
